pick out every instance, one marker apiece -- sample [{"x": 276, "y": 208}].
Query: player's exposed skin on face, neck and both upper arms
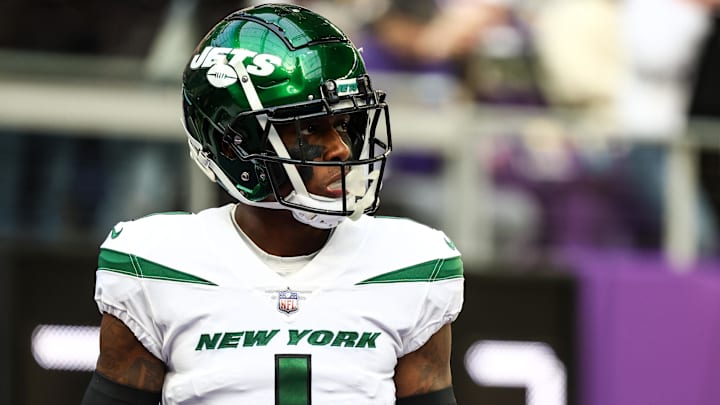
[{"x": 125, "y": 360}]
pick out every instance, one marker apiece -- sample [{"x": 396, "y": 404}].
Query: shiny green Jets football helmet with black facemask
[{"x": 275, "y": 65}]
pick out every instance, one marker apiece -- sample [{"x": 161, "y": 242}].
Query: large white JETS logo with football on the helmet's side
[{"x": 221, "y": 63}]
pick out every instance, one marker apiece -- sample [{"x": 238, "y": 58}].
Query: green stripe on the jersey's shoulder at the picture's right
[{"x": 433, "y": 270}]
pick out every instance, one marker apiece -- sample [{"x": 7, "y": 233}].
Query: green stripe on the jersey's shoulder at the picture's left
[{"x": 124, "y": 263}]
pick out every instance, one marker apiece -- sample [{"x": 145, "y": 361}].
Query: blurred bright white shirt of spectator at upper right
[{"x": 661, "y": 40}]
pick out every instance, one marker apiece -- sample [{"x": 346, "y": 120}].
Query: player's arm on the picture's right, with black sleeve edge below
[{"x": 423, "y": 377}]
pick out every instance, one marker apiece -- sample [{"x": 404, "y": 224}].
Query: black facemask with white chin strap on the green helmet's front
[{"x": 289, "y": 167}]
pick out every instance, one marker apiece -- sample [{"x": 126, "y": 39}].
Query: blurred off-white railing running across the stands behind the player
[{"x": 462, "y": 134}]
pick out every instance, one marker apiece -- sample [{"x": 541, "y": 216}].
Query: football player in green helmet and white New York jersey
[{"x": 294, "y": 295}]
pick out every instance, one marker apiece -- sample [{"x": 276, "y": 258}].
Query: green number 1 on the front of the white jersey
[{"x": 292, "y": 379}]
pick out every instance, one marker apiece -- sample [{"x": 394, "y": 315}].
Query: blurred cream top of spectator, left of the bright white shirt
[{"x": 579, "y": 51}]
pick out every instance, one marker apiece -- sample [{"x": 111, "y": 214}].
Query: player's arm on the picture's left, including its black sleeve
[{"x": 126, "y": 373}]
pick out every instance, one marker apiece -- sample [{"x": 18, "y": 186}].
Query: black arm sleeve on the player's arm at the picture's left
[{"x": 102, "y": 391}]
